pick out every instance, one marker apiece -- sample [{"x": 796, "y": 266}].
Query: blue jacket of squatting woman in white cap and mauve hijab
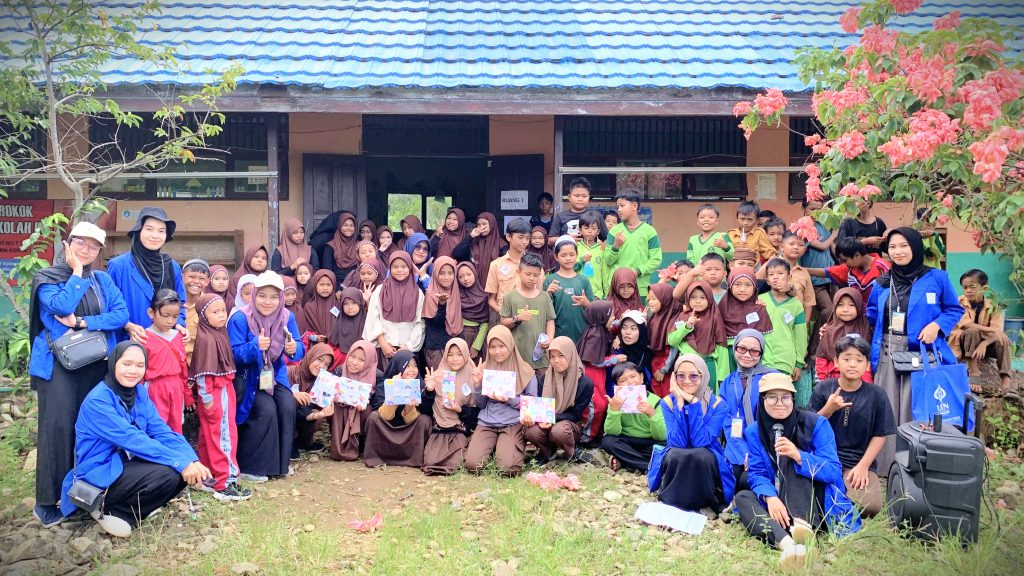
[{"x": 249, "y": 362}]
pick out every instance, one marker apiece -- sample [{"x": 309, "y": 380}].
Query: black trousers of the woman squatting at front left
[{"x": 143, "y": 488}]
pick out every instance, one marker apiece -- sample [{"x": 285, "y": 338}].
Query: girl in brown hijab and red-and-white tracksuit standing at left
[{"x": 214, "y": 374}]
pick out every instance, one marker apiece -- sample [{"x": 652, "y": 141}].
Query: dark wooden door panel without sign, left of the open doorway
[{"x": 332, "y": 183}]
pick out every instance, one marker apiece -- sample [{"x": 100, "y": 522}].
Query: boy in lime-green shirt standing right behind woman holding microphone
[{"x": 786, "y": 346}]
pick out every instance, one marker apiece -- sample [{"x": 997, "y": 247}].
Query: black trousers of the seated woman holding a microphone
[{"x": 803, "y": 498}]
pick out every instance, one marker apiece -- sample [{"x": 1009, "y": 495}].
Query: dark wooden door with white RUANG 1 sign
[{"x": 514, "y": 183}]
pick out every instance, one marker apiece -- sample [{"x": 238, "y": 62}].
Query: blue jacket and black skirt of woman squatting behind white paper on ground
[{"x": 695, "y": 473}]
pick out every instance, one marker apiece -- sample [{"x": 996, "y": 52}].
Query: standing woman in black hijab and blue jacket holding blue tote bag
[{"x": 910, "y": 307}]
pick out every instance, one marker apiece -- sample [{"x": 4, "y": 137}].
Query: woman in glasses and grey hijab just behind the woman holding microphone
[{"x": 740, "y": 393}]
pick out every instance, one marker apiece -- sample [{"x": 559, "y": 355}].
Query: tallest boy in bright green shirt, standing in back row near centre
[{"x": 636, "y": 244}]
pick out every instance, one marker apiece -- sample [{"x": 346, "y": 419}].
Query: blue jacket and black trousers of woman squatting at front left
[{"x": 132, "y": 454}]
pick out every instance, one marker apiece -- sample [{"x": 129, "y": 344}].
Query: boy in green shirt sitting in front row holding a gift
[{"x": 630, "y": 438}]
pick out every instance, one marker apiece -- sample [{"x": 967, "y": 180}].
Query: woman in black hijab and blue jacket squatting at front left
[{"x": 125, "y": 447}]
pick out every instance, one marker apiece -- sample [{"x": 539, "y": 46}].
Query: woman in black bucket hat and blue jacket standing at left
[{"x": 145, "y": 270}]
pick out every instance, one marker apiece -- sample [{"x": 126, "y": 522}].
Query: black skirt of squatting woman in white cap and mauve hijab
[{"x": 266, "y": 438}]
